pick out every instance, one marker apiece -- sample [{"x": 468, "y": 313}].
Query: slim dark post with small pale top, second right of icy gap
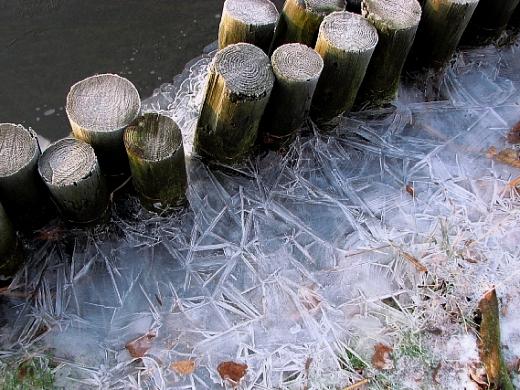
[{"x": 297, "y": 69}]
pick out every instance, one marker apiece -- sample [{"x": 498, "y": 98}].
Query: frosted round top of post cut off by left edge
[{"x": 18, "y": 147}]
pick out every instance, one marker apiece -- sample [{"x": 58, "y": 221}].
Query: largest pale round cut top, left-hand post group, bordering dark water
[{"x": 103, "y": 103}]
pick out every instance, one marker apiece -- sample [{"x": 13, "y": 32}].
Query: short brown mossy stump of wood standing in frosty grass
[{"x": 489, "y": 343}]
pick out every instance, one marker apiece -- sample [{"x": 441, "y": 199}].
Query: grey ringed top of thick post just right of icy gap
[{"x": 246, "y": 70}]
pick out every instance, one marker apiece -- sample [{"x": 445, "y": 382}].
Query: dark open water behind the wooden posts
[{"x": 48, "y": 45}]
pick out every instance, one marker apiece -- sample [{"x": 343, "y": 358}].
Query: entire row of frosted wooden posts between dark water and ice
[{"x": 272, "y": 71}]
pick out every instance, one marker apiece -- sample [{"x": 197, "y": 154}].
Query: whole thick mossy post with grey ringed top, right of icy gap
[{"x": 239, "y": 86}]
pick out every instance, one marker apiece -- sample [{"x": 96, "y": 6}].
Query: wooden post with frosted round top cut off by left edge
[{"x": 22, "y": 192}]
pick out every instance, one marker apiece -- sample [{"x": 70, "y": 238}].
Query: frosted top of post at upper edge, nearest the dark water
[{"x": 254, "y": 12}]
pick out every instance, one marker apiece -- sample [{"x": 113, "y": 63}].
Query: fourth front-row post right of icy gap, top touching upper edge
[{"x": 396, "y": 22}]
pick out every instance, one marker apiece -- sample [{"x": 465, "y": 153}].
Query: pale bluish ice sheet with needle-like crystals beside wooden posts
[{"x": 386, "y": 230}]
